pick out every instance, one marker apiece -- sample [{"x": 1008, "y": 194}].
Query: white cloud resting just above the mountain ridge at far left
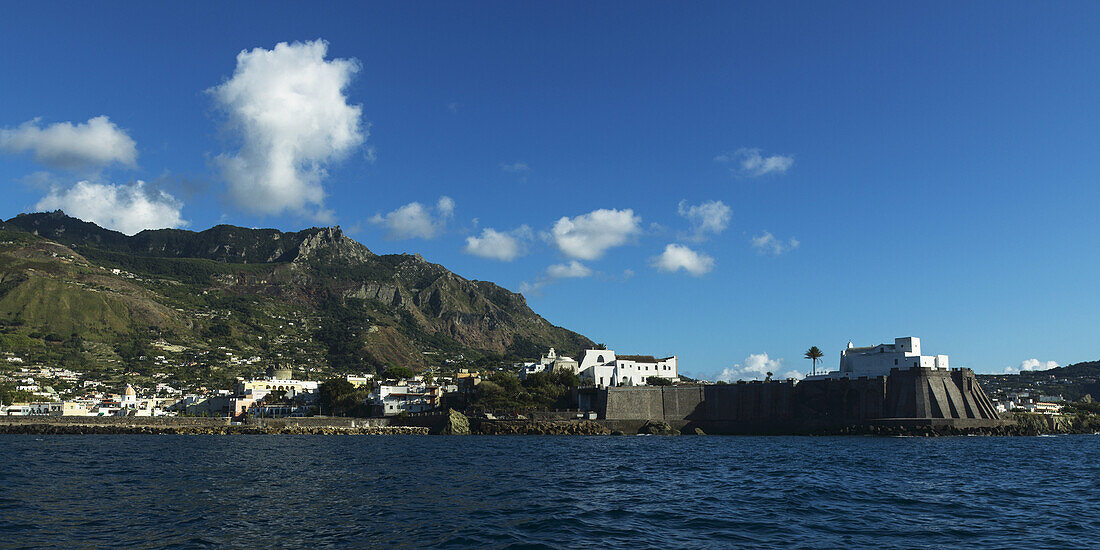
[{"x": 126, "y": 208}]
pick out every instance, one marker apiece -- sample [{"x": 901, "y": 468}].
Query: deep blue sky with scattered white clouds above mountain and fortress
[{"x": 728, "y": 182}]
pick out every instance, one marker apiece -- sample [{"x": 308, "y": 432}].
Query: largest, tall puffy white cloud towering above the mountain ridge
[{"x": 290, "y": 109}]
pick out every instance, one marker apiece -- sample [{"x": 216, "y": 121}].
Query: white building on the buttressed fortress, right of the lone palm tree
[{"x": 877, "y": 361}]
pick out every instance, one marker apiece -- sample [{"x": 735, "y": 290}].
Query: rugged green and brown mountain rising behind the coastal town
[{"x": 75, "y": 293}]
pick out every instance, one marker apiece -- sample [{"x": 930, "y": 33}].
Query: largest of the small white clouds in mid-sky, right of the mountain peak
[{"x": 590, "y": 236}]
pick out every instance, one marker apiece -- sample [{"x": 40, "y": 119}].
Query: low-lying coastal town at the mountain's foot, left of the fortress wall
[{"x": 47, "y": 391}]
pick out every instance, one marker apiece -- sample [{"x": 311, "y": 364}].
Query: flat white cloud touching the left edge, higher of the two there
[{"x": 65, "y": 146}]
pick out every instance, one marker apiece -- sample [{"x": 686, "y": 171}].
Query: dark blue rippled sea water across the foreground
[{"x": 548, "y": 492}]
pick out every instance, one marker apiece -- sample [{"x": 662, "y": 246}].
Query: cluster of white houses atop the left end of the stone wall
[{"x": 603, "y": 368}]
